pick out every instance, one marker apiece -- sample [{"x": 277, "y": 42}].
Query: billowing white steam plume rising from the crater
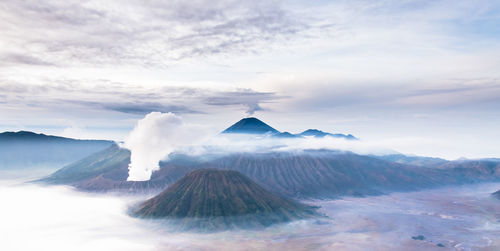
[{"x": 153, "y": 138}]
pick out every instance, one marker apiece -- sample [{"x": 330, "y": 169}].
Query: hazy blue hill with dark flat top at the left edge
[{"x": 24, "y": 150}]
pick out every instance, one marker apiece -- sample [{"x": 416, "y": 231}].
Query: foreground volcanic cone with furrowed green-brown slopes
[{"x": 213, "y": 199}]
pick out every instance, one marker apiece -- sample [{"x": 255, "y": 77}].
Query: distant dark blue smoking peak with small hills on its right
[{"x": 256, "y": 126}]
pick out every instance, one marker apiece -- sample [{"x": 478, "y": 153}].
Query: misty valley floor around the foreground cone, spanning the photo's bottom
[{"x": 35, "y": 217}]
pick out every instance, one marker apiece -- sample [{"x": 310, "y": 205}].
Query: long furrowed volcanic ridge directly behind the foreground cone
[{"x": 308, "y": 174}]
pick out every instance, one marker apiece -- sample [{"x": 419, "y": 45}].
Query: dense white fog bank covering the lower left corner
[{"x": 57, "y": 218}]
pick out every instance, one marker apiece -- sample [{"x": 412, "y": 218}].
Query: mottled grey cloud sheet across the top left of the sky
[{"x": 151, "y": 33}]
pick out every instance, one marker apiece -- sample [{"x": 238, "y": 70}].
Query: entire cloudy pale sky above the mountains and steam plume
[{"x": 420, "y": 77}]
